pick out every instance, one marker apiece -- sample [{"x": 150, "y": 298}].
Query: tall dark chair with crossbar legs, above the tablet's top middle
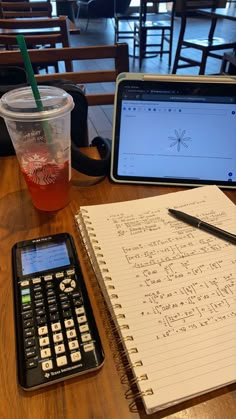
[{"x": 160, "y": 25}]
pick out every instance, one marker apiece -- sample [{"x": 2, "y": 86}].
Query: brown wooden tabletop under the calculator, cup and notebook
[{"x": 98, "y": 395}]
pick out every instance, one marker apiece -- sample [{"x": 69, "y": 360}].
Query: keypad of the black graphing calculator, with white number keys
[{"x": 57, "y": 334}]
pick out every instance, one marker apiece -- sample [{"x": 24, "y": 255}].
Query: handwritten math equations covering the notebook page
[{"x": 186, "y": 280}]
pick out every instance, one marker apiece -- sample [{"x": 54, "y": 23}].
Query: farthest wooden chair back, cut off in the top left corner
[{"x": 25, "y": 9}]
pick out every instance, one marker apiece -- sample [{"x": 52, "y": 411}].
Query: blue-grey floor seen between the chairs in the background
[{"x": 101, "y": 32}]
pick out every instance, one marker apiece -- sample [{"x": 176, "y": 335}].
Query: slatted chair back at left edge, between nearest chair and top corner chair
[{"x": 37, "y": 32}]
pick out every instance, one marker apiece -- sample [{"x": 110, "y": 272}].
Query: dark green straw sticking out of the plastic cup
[{"x": 33, "y": 82}]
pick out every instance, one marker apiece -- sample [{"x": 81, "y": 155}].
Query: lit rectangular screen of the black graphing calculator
[{"x": 43, "y": 257}]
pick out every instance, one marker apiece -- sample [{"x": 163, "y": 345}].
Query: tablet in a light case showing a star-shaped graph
[{"x": 174, "y": 130}]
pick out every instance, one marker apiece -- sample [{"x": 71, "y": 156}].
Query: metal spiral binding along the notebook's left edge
[{"x": 121, "y": 357}]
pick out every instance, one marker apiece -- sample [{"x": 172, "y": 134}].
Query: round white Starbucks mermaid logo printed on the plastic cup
[{"x": 39, "y": 169}]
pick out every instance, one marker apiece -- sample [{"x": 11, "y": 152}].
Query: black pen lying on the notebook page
[{"x": 195, "y": 222}]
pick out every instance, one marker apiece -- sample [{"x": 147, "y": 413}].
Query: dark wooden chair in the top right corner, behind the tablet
[{"x": 209, "y": 46}]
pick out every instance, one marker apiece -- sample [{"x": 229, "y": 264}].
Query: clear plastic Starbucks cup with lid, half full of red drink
[{"x": 42, "y": 142}]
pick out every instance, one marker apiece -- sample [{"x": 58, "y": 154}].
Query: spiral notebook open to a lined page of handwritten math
[{"x": 174, "y": 284}]
